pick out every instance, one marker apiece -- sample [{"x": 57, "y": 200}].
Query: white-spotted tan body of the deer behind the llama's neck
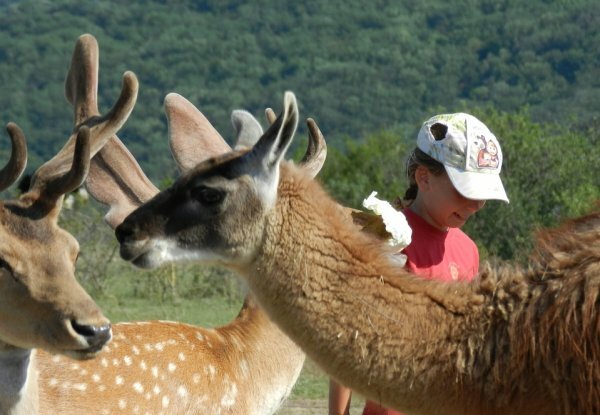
[{"x": 245, "y": 367}]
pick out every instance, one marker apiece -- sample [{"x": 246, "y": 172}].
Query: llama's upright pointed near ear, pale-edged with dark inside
[{"x": 274, "y": 143}]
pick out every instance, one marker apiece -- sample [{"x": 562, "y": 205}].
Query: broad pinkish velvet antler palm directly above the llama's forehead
[{"x": 192, "y": 137}]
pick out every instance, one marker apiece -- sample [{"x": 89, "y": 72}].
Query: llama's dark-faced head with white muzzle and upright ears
[{"x": 217, "y": 211}]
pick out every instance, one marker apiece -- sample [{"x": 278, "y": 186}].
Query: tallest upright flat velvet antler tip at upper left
[{"x": 81, "y": 85}]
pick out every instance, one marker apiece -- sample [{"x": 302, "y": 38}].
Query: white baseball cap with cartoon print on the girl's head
[{"x": 468, "y": 150}]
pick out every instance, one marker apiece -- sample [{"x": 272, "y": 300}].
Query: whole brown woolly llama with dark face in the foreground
[{"x": 521, "y": 340}]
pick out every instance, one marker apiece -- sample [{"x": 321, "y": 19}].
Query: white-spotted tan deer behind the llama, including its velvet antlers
[{"x": 247, "y": 366}]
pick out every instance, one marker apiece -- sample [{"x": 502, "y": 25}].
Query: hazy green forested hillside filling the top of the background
[{"x": 357, "y": 67}]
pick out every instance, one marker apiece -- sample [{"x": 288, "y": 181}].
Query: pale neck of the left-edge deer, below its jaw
[{"x": 18, "y": 381}]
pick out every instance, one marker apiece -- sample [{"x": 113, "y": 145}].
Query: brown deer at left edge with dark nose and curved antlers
[{"x": 43, "y": 309}]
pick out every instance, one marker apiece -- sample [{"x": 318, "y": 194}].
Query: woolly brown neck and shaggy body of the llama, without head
[{"x": 519, "y": 341}]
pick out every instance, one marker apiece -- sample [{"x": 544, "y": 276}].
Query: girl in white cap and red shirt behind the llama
[{"x": 450, "y": 178}]
